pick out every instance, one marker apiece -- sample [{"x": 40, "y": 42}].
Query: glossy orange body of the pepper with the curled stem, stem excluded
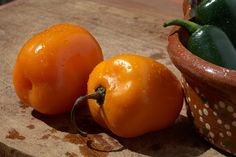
[{"x": 141, "y": 95}]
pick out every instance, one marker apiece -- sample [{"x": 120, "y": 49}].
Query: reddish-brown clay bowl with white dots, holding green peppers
[{"x": 210, "y": 93}]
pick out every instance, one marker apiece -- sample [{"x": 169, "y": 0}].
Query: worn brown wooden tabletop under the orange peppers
[{"x": 119, "y": 26}]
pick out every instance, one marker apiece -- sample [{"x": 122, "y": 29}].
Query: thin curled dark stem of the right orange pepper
[{"x": 98, "y": 95}]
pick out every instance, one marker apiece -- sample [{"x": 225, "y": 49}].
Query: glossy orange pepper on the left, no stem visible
[{"x": 53, "y": 67}]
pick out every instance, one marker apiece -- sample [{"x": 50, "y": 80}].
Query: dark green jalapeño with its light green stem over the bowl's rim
[{"x": 209, "y": 43}]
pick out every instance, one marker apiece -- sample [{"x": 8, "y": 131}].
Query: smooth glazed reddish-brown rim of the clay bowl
[{"x": 196, "y": 66}]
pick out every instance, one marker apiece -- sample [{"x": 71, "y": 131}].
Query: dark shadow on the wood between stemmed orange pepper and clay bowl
[{"x": 179, "y": 140}]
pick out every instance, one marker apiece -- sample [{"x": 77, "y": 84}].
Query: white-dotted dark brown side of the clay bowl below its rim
[{"x": 216, "y": 121}]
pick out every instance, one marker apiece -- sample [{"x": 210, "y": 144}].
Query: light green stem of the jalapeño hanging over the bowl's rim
[{"x": 189, "y": 25}]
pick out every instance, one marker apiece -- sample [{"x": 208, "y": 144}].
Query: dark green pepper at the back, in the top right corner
[{"x": 220, "y": 13}]
